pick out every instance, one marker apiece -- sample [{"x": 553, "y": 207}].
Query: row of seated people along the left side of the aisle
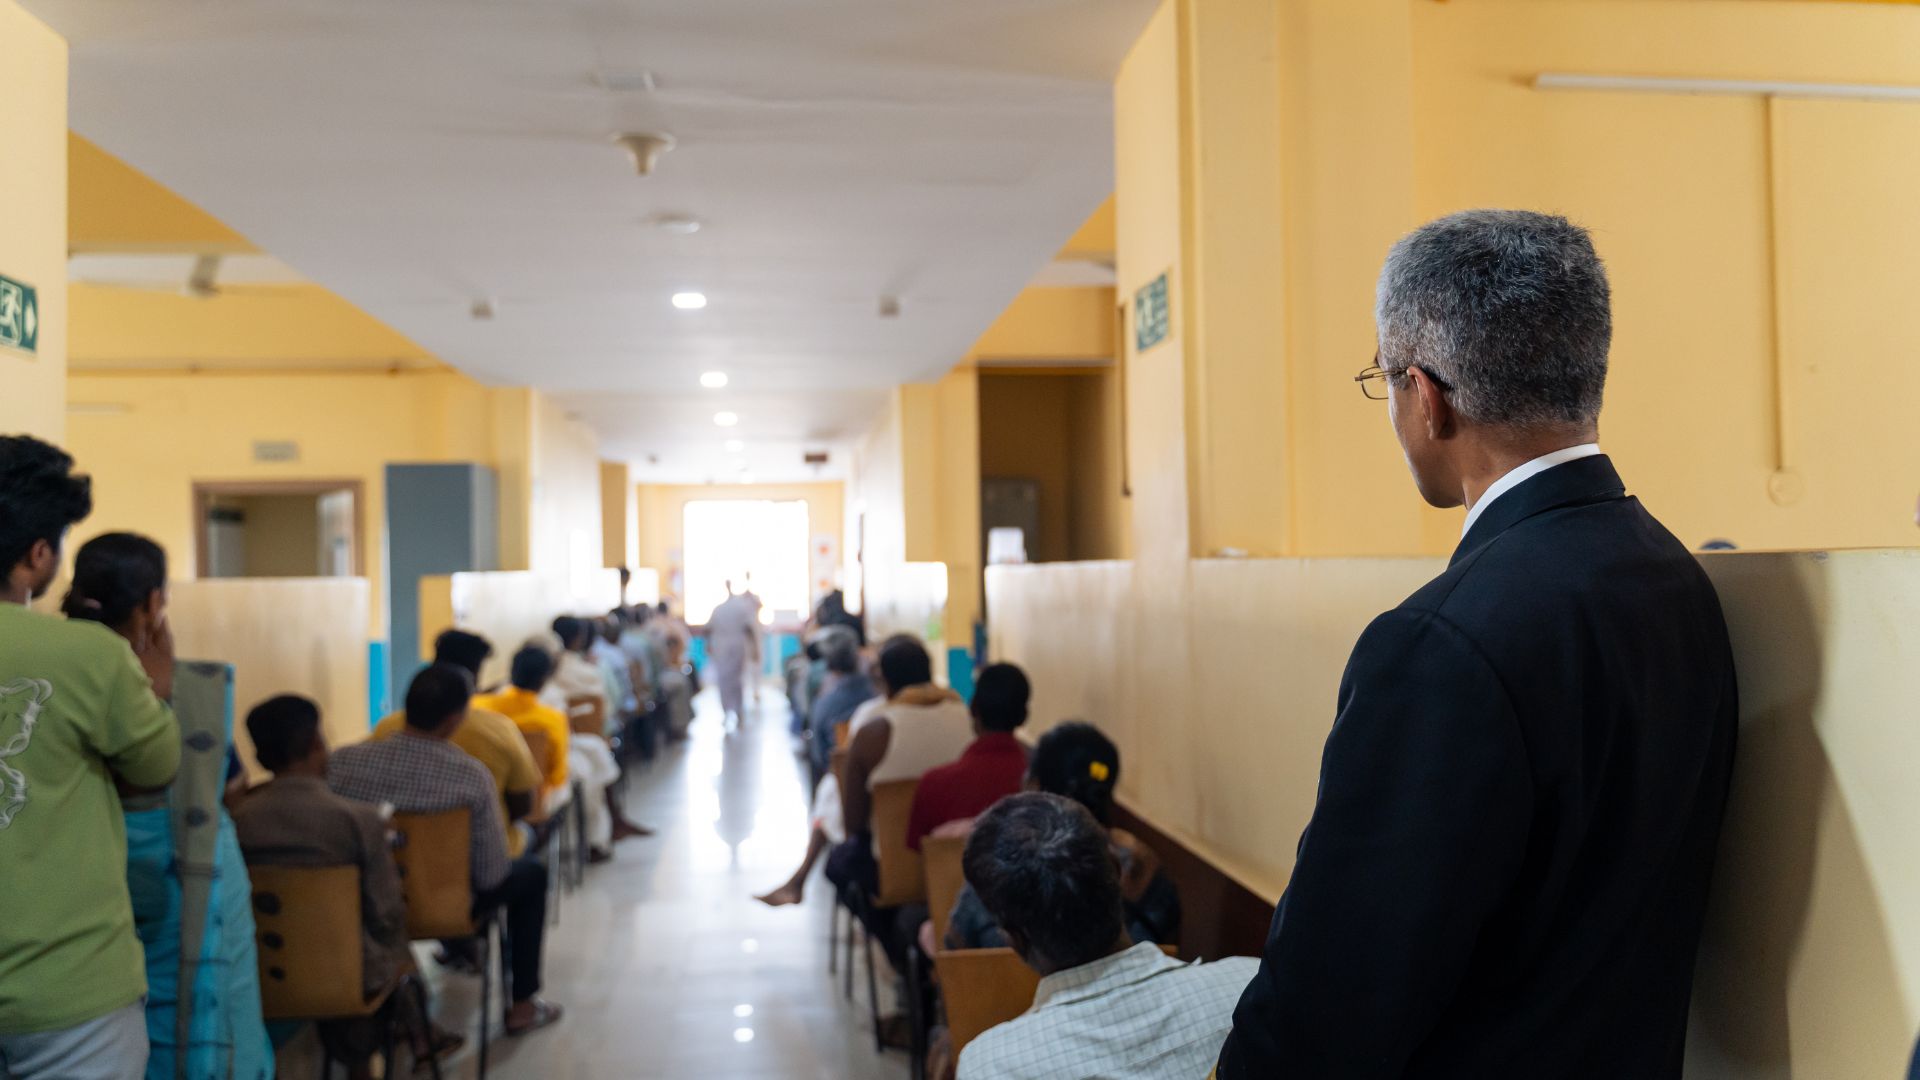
[{"x": 516, "y": 758}]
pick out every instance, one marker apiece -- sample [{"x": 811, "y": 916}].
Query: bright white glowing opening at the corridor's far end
[{"x": 750, "y": 543}]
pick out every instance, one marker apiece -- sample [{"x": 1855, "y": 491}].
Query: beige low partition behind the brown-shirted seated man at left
[{"x": 283, "y": 637}]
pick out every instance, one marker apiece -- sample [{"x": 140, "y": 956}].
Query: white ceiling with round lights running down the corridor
[{"x": 418, "y": 157}]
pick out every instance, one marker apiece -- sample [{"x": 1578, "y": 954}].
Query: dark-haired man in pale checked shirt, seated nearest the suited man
[{"x": 1107, "y": 1008}]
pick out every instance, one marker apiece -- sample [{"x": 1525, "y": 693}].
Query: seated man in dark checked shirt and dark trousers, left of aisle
[{"x": 420, "y": 772}]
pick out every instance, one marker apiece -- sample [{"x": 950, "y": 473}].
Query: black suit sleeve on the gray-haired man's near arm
[{"x": 1420, "y": 827}]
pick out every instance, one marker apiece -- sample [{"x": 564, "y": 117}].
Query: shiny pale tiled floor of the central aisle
[{"x": 665, "y": 962}]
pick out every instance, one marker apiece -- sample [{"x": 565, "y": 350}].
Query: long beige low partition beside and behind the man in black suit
[{"x": 1812, "y": 964}]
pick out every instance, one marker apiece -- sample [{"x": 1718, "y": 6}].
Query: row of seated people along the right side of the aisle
[{"x": 1047, "y": 875}]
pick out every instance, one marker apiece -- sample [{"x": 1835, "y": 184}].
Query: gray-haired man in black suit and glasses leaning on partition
[{"x": 1508, "y": 864}]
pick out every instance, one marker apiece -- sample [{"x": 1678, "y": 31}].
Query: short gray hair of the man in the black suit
[{"x": 1504, "y": 307}]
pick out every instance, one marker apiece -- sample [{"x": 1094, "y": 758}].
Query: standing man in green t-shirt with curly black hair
[{"x": 78, "y": 710}]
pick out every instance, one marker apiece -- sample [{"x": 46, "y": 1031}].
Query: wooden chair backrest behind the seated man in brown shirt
[{"x": 308, "y": 933}]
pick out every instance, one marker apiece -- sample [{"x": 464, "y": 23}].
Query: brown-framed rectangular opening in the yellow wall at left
[{"x": 287, "y": 529}]
